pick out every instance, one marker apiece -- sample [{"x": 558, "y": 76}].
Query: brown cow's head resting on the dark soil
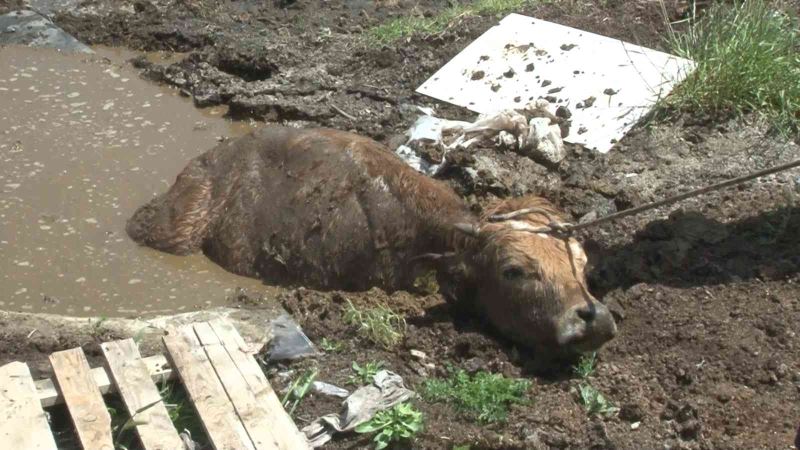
[{"x": 531, "y": 285}]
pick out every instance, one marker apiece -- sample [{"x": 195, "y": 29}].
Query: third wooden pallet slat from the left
[{"x": 141, "y": 398}]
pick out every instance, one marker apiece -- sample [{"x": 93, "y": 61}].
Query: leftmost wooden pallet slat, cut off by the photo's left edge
[{"x": 23, "y": 423}]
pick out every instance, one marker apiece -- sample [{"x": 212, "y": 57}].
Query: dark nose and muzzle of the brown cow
[{"x": 586, "y": 327}]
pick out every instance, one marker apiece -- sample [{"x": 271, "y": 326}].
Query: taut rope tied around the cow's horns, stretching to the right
[{"x": 568, "y": 229}]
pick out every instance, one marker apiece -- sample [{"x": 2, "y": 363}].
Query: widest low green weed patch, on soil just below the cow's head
[{"x": 484, "y": 396}]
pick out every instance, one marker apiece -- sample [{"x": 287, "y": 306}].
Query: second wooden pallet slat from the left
[{"x": 83, "y": 398}]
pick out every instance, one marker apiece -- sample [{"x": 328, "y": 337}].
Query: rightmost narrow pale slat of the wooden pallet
[{"x": 286, "y": 434}]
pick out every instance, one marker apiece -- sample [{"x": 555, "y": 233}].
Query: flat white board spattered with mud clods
[{"x": 511, "y": 64}]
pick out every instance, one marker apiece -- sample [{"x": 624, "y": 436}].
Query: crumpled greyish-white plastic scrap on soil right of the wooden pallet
[{"x": 386, "y": 391}]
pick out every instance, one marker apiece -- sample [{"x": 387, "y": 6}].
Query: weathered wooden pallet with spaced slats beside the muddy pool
[{"x": 232, "y": 397}]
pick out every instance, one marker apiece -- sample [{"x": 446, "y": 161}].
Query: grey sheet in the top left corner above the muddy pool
[{"x": 34, "y": 30}]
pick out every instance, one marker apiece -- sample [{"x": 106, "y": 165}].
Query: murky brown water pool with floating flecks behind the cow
[{"x": 83, "y": 143}]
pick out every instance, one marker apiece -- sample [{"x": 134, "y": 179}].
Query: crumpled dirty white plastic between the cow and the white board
[{"x": 531, "y": 130}]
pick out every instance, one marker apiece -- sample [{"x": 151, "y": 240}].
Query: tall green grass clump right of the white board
[{"x": 748, "y": 61}]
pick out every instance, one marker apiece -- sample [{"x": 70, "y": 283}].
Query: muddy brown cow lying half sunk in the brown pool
[{"x": 332, "y": 210}]
